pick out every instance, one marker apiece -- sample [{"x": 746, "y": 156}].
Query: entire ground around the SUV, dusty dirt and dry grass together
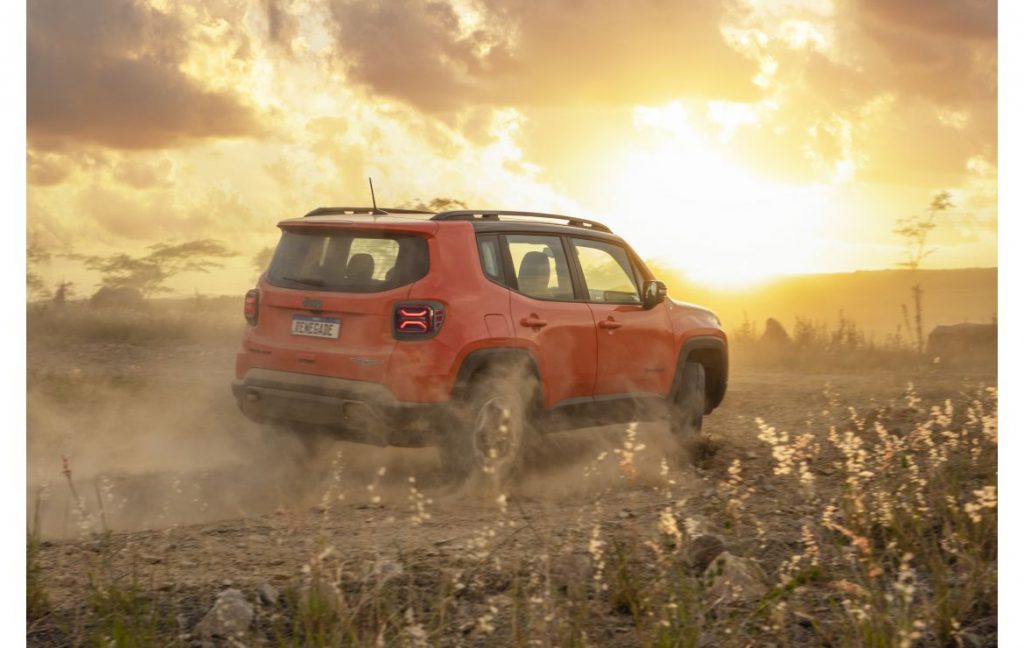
[{"x": 830, "y": 508}]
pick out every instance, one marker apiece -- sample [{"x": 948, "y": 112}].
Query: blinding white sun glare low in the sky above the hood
[{"x": 682, "y": 202}]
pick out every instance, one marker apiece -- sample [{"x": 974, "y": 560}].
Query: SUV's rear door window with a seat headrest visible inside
[{"x": 541, "y": 268}]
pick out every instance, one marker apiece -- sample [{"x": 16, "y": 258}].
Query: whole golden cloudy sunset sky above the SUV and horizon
[{"x": 734, "y": 140}]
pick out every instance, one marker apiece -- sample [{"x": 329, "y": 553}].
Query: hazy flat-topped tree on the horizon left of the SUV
[{"x": 149, "y": 274}]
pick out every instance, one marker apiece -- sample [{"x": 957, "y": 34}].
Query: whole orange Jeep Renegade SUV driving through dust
[{"x": 472, "y": 331}]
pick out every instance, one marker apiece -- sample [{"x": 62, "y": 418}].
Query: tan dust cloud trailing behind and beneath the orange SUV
[{"x": 133, "y": 444}]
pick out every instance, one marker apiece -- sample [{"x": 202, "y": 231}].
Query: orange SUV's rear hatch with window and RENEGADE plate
[{"x": 327, "y": 299}]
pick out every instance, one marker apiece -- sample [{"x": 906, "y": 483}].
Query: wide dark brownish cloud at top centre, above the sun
[{"x": 530, "y": 54}]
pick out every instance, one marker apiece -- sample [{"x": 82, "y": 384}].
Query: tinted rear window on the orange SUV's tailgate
[{"x": 348, "y": 262}]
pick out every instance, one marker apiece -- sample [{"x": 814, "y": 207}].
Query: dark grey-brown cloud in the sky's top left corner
[{"x": 107, "y": 72}]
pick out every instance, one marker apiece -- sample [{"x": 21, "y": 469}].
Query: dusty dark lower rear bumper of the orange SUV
[{"x": 351, "y": 410}]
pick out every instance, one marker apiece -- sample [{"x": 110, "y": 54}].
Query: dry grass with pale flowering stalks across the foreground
[{"x": 895, "y": 546}]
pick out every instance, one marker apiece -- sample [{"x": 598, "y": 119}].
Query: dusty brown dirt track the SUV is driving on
[{"x": 197, "y": 499}]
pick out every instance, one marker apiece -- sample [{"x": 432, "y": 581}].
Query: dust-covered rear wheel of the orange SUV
[{"x": 490, "y": 430}]
